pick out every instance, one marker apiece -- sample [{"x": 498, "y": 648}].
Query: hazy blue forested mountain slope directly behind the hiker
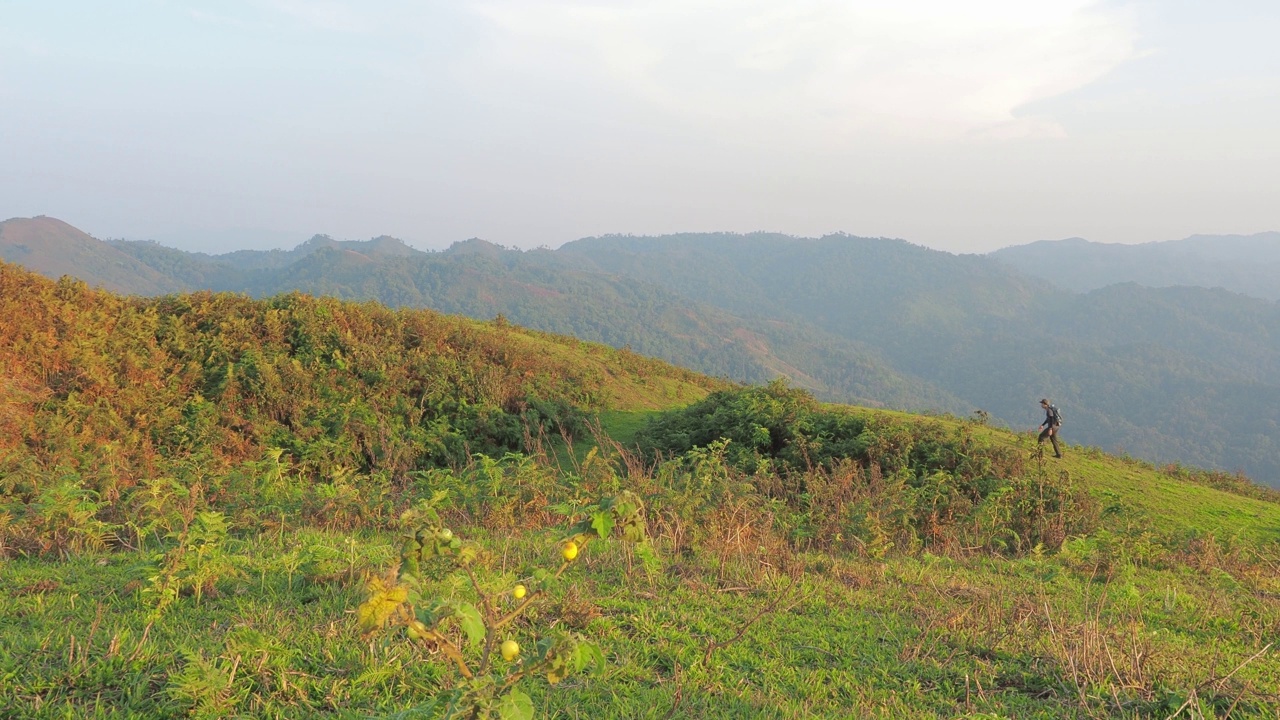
[{"x": 1168, "y": 375}]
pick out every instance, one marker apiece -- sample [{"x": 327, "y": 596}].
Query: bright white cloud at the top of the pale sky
[{"x": 839, "y": 69}]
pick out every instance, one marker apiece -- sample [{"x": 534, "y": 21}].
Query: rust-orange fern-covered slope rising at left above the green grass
[{"x": 127, "y": 389}]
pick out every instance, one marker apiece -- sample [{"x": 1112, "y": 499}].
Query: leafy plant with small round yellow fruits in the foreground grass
[{"x": 472, "y": 636}]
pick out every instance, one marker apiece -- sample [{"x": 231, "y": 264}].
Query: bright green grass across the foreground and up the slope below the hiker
[{"x": 1107, "y": 628}]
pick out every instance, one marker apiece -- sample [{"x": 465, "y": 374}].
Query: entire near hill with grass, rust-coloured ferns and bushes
[{"x": 200, "y": 491}]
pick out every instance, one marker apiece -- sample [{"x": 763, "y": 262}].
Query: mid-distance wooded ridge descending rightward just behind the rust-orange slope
[{"x": 537, "y": 290}]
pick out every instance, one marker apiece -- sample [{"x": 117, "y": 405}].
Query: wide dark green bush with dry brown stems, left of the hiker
[{"x": 856, "y": 481}]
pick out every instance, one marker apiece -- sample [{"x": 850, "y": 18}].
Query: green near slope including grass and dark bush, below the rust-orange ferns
[{"x": 927, "y": 568}]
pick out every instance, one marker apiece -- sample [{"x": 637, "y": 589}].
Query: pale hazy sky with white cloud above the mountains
[{"x": 962, "y": 126}]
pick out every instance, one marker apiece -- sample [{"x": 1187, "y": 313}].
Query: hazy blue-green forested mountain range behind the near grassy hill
[{"x": 1188, "y": 375}]
